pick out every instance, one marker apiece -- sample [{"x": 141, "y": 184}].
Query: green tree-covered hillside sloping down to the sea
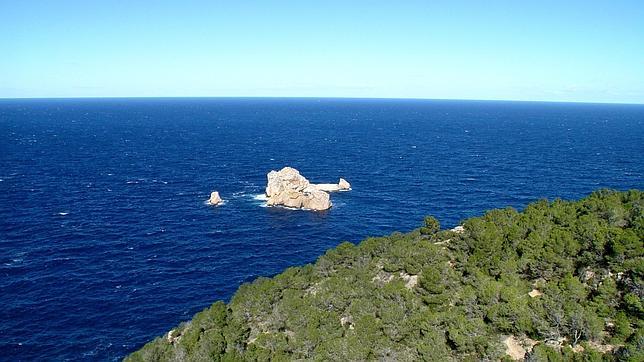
[{"x": 562, "y": 279}]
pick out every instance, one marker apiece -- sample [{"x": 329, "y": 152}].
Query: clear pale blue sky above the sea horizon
[{"x": 590, "y": 51}]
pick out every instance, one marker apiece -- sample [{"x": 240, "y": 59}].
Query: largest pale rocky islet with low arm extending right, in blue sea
[{"x": 287, "y": 187}]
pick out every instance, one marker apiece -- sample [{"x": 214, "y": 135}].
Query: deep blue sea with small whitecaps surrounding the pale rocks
[{"x": 105, "y": 240}]
